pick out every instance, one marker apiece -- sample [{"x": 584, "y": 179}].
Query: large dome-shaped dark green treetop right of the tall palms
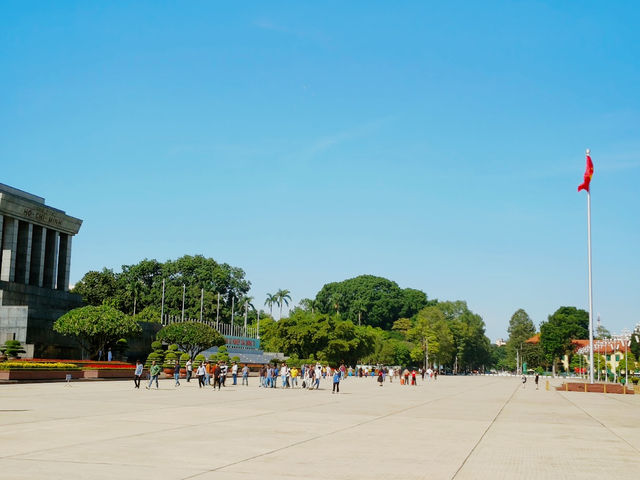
[{"x": 375, "y": 300}]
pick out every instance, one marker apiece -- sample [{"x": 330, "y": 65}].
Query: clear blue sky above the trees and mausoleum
[{"x": 439, "y": 144}]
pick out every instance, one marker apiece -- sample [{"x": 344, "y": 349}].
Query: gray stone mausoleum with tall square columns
[{"x": 35, "y": 262}]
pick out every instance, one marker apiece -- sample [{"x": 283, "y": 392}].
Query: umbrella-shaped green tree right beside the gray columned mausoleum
[{"x": 97, "y": 328}]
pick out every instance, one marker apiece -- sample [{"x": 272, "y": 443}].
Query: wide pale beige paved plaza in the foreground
[{"x": 457, "y": 427}]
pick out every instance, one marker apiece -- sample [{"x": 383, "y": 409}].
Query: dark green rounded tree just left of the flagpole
[{"x": 564, "y": 325}]
